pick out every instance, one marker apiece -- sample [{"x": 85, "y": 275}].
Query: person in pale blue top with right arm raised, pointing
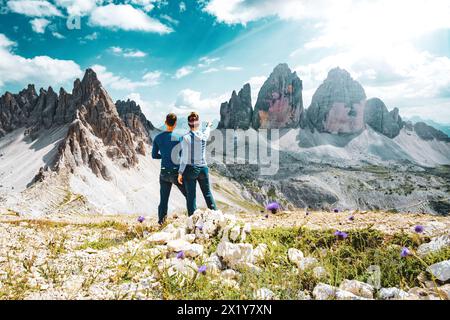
[{"x": 193, "y": 166}]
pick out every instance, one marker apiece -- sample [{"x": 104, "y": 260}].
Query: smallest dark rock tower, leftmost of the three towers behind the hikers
[{"x": 237, "y": 112}]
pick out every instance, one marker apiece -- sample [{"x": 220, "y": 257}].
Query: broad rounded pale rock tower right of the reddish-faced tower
[{"x": 338, "y": 104}]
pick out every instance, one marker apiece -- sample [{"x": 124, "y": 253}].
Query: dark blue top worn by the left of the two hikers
[{"x": 163, "y": 145}]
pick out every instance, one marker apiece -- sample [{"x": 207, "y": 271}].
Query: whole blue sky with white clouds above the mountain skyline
[{"x": 172, "y": 55}]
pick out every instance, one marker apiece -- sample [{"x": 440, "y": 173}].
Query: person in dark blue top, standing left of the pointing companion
[{"x": 166, "y": 147}]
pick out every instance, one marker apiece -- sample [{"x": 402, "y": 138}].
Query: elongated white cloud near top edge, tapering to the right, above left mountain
[{"x": 126, "y": 17}]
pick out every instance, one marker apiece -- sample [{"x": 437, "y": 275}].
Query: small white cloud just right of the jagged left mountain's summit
[{"x": 110, "y": 80}]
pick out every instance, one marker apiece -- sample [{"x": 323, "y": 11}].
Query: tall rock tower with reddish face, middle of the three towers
[{"x": 280, "y": 101}]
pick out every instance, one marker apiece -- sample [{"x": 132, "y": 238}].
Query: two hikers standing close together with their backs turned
[{"x": 186, "y": 169}]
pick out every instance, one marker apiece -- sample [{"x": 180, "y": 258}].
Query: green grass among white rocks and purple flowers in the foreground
[{"x": 347, "y": 259}]
